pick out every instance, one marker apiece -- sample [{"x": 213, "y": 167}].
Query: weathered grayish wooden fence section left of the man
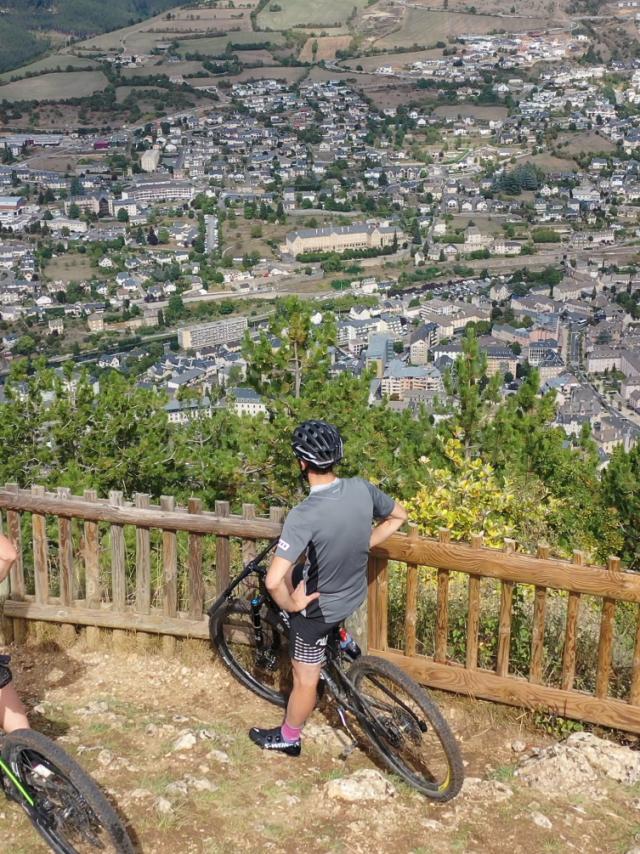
[{"x": 126, "y": 600}]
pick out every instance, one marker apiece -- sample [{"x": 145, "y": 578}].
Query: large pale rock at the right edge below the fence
[{"x": 580, "y": 764}]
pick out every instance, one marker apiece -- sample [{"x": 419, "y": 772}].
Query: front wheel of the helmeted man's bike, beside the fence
[{"x": 266, "y": 671}]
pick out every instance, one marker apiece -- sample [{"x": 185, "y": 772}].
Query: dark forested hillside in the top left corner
[{"x": 23, "y": 21}]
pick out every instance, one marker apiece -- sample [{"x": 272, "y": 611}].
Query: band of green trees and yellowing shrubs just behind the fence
[{"x": 497, "y": 465}]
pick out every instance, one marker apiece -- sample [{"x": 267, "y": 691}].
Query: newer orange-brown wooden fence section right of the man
[{"x": 539, "y": 574}]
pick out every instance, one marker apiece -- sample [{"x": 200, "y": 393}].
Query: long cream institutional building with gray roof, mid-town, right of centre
[{"x": 341, "y": 238}]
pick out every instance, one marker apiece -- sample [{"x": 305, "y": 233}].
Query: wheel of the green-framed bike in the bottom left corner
[{"x": 68, "y": 808}]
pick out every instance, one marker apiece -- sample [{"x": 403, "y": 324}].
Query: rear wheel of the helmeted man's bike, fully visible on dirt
[{"x": 407, "y": 729}]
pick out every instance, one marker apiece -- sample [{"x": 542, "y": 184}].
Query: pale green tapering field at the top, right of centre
[{"x": 425, "y": 28}]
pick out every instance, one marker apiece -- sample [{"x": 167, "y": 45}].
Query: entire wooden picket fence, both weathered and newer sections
[{"x": 87, "y": 561}]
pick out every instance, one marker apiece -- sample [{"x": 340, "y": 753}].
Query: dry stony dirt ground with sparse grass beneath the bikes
[{"x": 121, "y": 714}]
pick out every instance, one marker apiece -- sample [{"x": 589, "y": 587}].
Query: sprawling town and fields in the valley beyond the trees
[{"x": 414, "y": 172}]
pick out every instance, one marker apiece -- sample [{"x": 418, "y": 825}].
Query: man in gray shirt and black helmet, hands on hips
[{"x": 332, "y": 531}]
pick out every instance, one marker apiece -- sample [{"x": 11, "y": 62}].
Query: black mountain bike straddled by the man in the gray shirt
[{"x": 395, "y": 714}]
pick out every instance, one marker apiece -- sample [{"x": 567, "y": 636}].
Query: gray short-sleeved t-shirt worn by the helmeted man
[{"x": 332, "y": 528}]
